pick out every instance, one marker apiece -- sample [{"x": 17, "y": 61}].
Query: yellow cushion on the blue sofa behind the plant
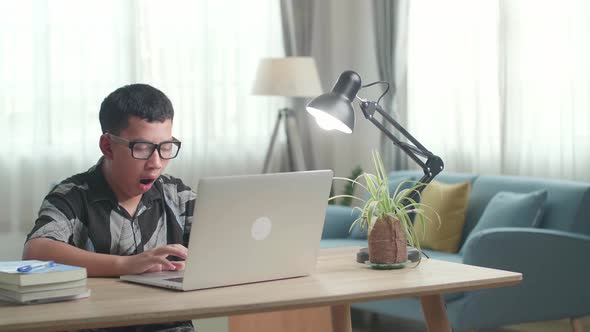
[{"x": 450, "y": 202}]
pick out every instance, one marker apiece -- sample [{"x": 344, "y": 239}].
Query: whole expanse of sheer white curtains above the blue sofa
[{"x": 502, "y": 86}]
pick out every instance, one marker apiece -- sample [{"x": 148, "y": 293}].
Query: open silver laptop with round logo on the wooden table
[{"x": 251, "y": 228}]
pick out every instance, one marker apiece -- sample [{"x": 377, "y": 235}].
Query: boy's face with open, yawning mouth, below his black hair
[{"x": 133, "y": 177}]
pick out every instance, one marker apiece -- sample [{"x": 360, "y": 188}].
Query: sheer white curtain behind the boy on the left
[{"x": 59, "y": 59}]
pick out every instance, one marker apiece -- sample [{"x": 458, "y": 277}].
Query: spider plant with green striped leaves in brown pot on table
[{"x": 387, "y": 216}]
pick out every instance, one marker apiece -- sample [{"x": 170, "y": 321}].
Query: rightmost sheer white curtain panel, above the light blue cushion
[{"x": 547, "y": 88}]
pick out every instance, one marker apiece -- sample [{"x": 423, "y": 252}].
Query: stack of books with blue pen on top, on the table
[{"x": 31, "y": 281}]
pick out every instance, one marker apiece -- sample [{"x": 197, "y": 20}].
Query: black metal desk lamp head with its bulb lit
[{"x": 334, "y": 110}]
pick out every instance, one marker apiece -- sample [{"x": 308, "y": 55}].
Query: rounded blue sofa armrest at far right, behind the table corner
[{"x": 555, "y": 275}]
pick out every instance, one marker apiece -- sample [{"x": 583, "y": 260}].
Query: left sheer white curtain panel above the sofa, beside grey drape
[{"x": 453, "y": 104}]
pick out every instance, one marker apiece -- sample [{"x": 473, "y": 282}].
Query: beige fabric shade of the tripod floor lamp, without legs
[{"x": 290, "y": 77}]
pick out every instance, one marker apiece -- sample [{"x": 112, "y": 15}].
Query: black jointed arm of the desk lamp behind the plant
[{"x": 433, "y": 164}]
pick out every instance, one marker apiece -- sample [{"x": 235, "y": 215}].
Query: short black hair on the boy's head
[{"x": 141, "y": 100}]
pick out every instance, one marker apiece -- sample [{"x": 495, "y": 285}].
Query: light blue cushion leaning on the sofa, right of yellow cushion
[{"x": 509, "y": 209}]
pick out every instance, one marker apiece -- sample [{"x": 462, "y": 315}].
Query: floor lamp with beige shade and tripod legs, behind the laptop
[{"x": 287, "y": 77}]
